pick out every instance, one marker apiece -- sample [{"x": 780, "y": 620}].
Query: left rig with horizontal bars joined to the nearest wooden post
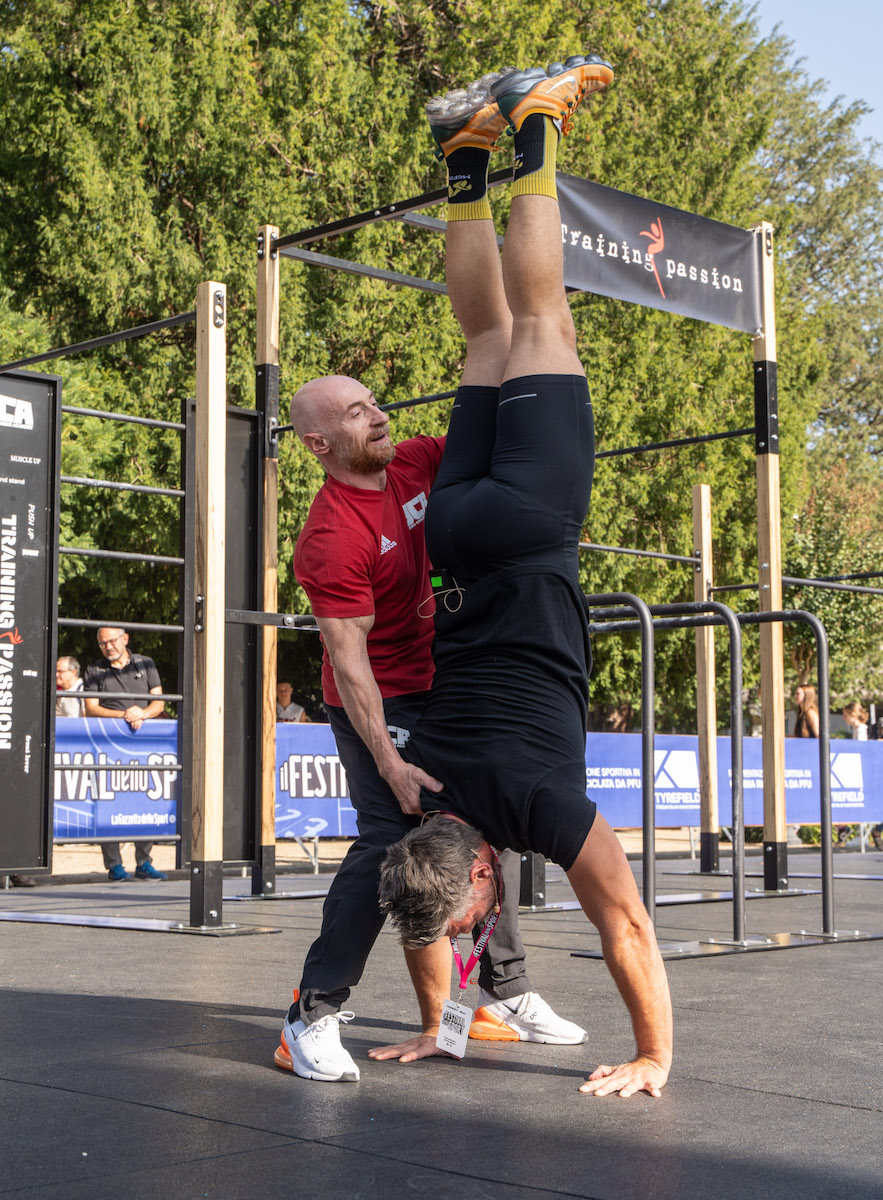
[{"x": 208, "y": 430}]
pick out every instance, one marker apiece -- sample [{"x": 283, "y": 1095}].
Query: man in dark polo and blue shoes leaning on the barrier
[{"x": 118, "y": 674}]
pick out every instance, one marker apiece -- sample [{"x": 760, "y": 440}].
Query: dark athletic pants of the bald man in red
[{"x": 352, "y": 919}]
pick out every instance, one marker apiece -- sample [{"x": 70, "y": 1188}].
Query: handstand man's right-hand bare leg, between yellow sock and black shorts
[{"x": 544, "y": 340}]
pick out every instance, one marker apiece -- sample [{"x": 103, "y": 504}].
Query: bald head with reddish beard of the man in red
[{"x": 339, "y": 421}]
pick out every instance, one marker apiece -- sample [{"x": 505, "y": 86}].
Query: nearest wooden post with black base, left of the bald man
[{"x": 211, "y": 483}]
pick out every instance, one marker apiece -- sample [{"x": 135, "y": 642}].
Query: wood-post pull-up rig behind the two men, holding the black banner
[{"x": 750, "y": 308}]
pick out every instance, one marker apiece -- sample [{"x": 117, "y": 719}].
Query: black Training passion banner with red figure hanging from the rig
[{"x": 633, "y": 249}]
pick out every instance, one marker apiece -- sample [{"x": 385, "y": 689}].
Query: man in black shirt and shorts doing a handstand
[{"x": 504, "y": 725}]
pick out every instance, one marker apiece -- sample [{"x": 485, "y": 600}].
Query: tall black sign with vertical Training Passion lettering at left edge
[{"x": 31, "y": 407}]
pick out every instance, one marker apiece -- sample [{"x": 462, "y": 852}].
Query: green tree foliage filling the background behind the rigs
[{"x": 147, "y": 141}]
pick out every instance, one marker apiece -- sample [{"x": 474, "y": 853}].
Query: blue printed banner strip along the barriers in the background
[{"x": 129, "y": 794}]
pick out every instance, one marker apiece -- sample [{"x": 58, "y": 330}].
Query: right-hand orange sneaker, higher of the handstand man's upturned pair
[{"x": 556, "y": 93}]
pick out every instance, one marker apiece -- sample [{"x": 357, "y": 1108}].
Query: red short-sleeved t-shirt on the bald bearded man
[{"x": 363, "y": 553}]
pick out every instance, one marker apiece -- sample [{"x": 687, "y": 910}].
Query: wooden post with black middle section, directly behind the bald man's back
[{"x": 268, "y": 403}]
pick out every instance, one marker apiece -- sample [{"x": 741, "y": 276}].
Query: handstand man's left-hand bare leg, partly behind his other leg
[{"x": 479, "y": 303}]
